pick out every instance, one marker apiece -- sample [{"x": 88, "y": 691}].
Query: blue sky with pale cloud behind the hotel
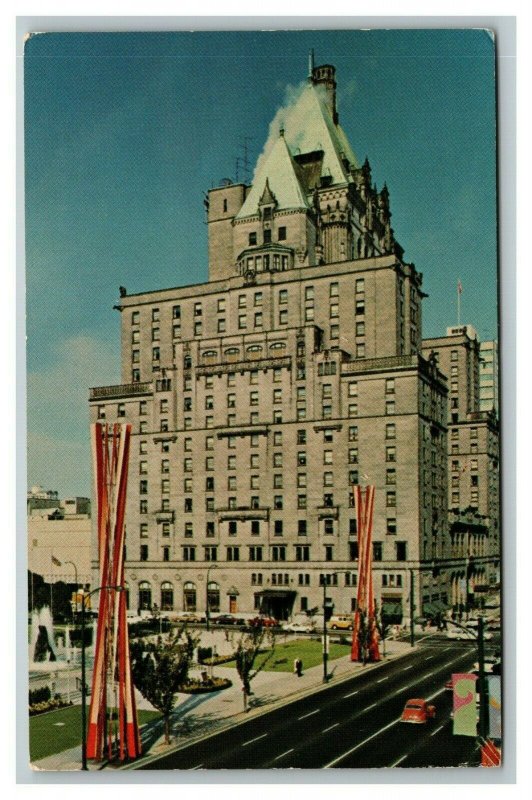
[{"x": 125, "y": 132}]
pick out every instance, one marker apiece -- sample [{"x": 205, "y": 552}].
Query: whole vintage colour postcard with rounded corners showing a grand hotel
[{"x": 263, "y": 509}]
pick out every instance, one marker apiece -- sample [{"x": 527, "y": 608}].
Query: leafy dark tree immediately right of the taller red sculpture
[{"x": 159, "y": 668}]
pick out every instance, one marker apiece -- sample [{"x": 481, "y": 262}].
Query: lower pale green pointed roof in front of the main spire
[{"x": 278, "y": 174}]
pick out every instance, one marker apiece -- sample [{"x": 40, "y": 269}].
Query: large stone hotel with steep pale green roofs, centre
[{"x": 258, "y": 399}]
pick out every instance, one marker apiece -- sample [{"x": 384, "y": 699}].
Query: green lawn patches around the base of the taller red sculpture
[{"x": 47, "y": 737}]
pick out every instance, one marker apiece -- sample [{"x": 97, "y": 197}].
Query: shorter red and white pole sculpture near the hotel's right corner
[{"x": 364, "y": 503}]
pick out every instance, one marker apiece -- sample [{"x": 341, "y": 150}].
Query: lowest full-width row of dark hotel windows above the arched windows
[{"x": 277, "y": 552}]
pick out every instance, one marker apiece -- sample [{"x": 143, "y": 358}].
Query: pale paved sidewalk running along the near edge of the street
[{"x": 197, "y": 716}]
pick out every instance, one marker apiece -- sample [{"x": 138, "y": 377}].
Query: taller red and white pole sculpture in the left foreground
[{"x": 112, "y": 695}]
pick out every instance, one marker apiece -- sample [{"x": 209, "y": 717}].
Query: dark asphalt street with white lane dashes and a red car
[{"x": 349, "y": 725}]
